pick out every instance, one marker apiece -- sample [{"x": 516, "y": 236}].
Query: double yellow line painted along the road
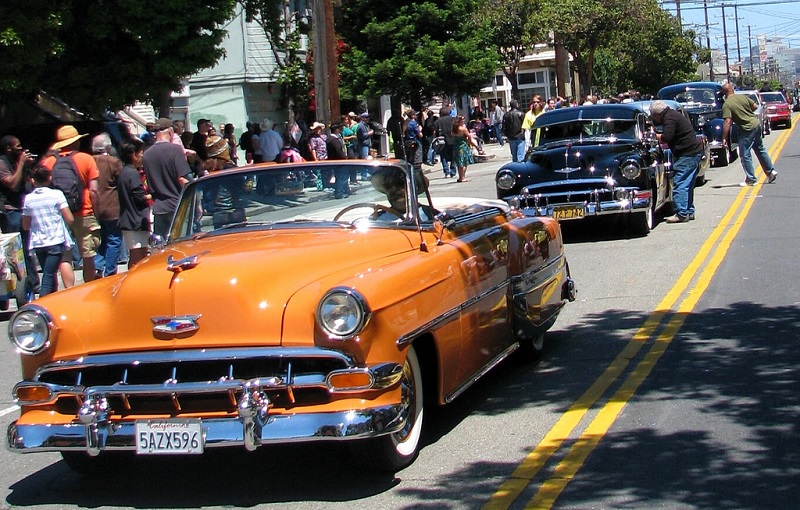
[{"x": 710, "y": 255}]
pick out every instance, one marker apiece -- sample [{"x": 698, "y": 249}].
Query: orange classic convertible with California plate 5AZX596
[{"x": 277, "y": 312}]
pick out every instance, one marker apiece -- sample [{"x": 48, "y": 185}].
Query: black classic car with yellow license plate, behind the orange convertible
[{"x": 591, "y": 161}]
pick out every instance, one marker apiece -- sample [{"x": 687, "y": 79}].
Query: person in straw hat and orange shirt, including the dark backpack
[{"x": 75, "y": 174}]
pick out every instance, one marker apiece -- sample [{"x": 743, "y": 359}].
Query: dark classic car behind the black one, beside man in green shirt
[{"x": 703, "y": 101}]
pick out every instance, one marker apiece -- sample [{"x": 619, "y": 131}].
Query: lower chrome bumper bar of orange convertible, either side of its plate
[{"x": 218, "y": 432}]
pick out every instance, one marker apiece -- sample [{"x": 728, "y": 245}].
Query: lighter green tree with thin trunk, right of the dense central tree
[{"x": 513, "y": 27}]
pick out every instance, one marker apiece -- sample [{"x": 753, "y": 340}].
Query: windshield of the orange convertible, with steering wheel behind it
[{"x": 298, "y": 195}]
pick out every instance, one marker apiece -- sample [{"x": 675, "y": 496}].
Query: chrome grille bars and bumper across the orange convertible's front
[{"x": 97, "y": 426}]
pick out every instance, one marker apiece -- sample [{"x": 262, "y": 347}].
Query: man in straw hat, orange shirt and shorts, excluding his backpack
[{"x": 85, "y": 227}]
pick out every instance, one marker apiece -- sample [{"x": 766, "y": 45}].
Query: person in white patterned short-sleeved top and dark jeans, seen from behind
[{"x": 44, "y": 214}]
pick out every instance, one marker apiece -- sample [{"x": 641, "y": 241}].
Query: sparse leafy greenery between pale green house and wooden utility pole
[{"x": 286, "y": 28}]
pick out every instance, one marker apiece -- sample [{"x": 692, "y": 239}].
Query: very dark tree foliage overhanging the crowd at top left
[{"x": 105, "y": 54}]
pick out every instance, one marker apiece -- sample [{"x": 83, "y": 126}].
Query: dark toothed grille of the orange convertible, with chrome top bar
[{"x": 292, "y": 377}]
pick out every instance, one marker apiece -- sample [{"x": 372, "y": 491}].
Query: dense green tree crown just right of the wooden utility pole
[{"x": 414, "y": 50}]
